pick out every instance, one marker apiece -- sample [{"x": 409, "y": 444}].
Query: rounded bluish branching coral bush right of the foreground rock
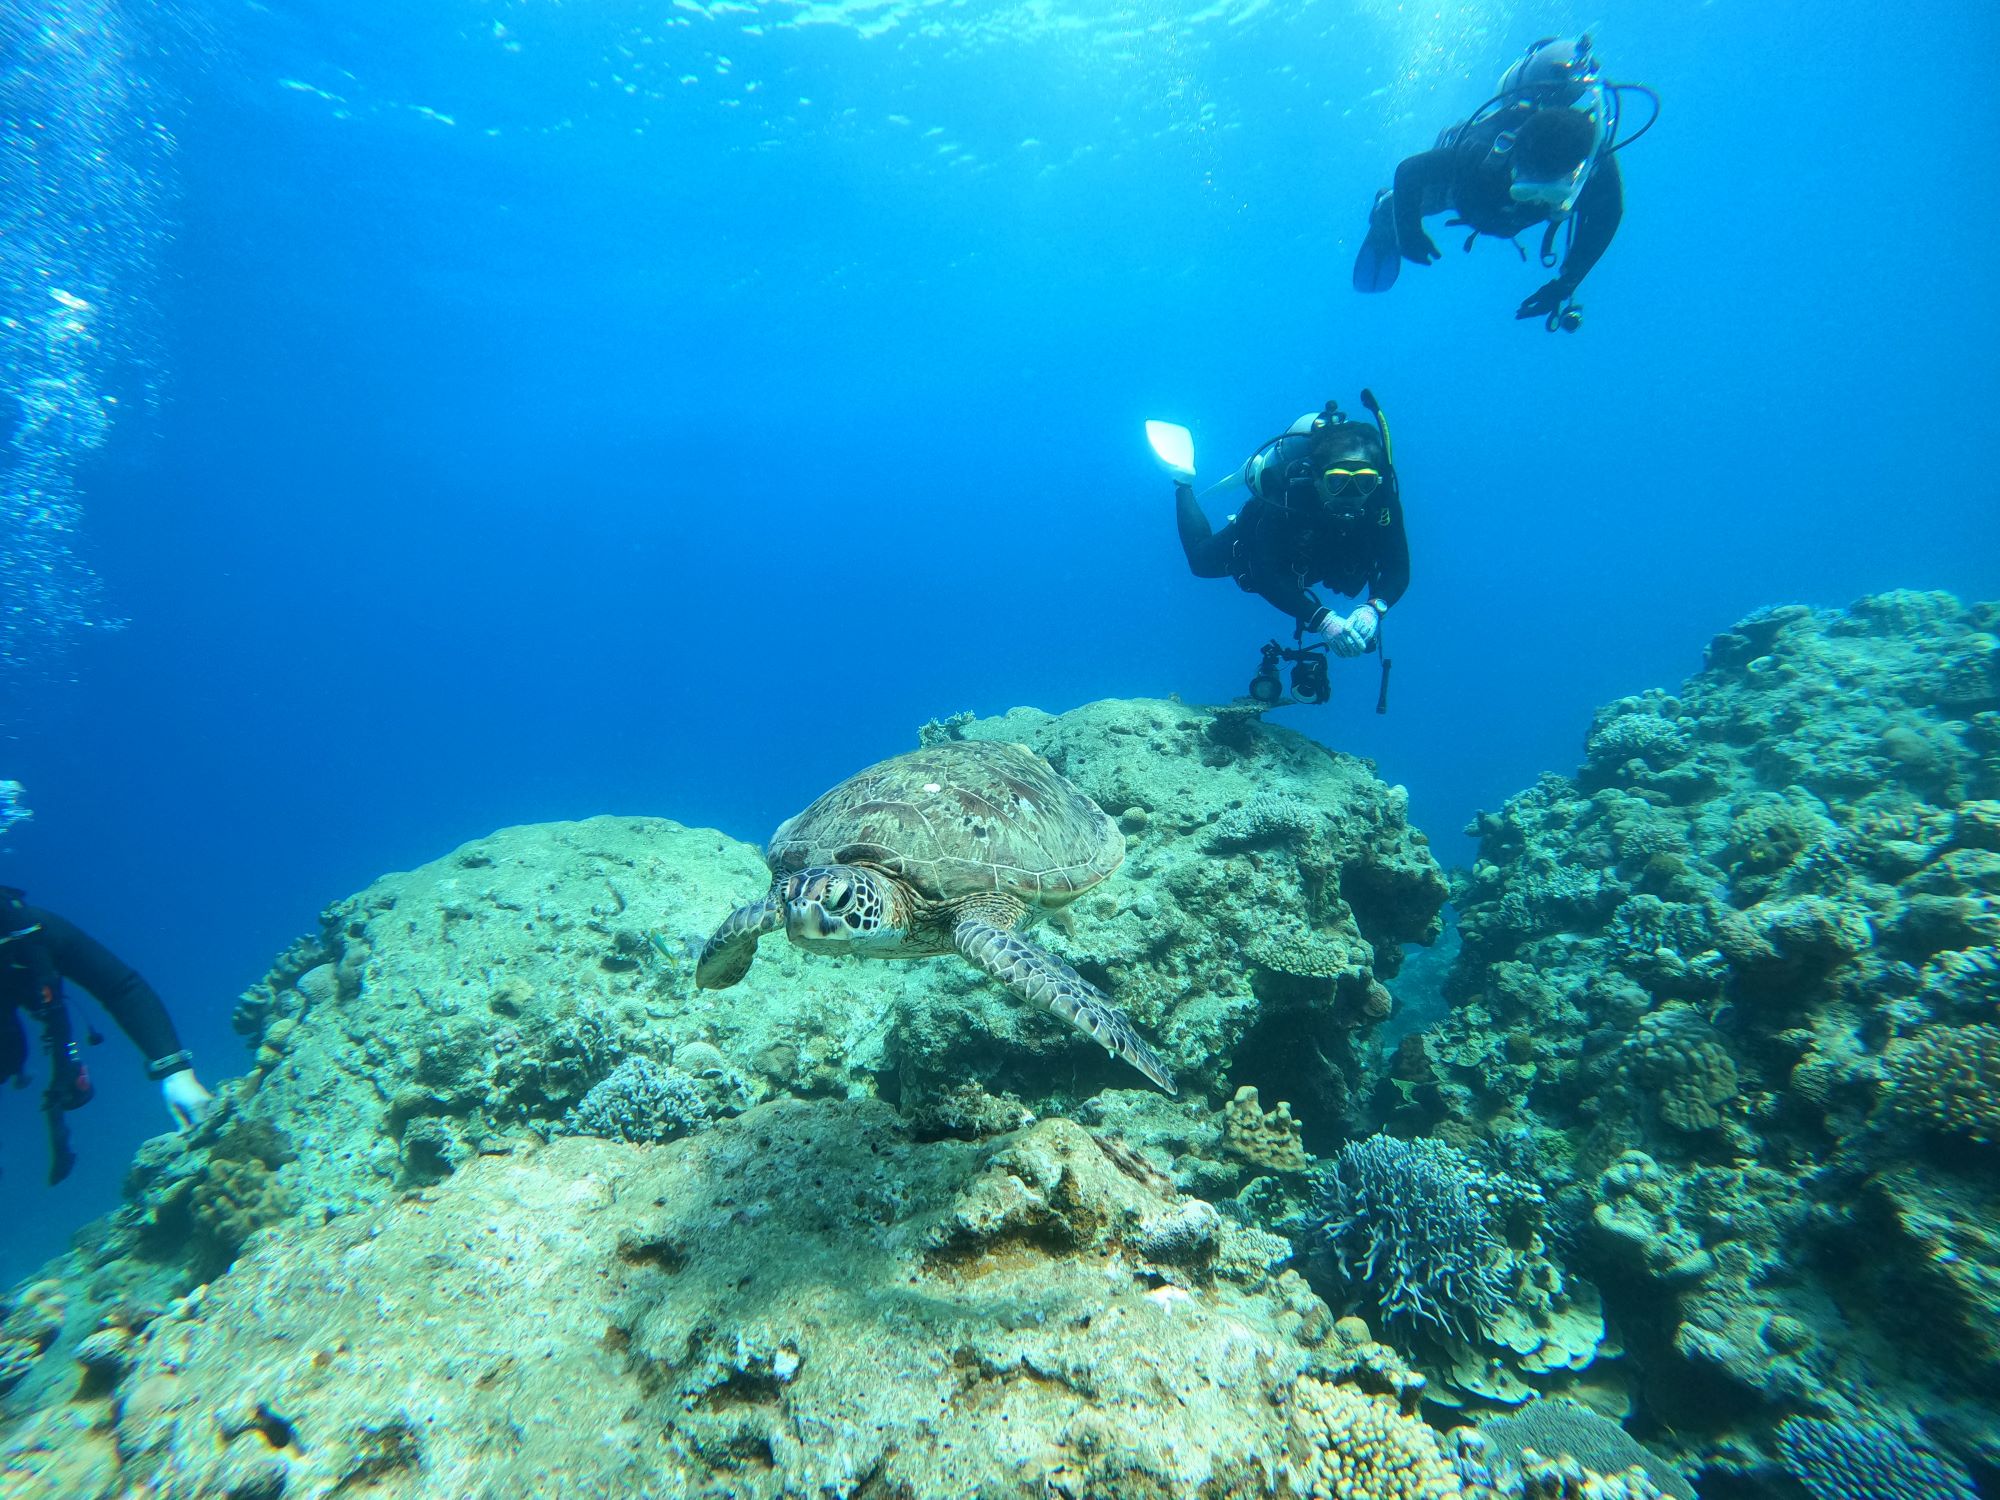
[{"x": 1411, "y": 1225}]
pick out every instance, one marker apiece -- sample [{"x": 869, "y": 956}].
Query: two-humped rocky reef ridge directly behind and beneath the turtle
[{"x": 539, "y": 985}]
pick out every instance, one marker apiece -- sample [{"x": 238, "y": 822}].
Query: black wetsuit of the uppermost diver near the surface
[{"x": 1475, "y": 185}]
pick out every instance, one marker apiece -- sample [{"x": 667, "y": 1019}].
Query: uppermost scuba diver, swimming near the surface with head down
[{"x": 1543, "y": 151}]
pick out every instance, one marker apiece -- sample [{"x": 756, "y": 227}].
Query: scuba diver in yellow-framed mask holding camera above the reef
[{"x": 1325, "y": 509}]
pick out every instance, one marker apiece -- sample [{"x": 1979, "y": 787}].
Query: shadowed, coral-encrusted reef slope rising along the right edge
[{"x": 1729, "y": 997}]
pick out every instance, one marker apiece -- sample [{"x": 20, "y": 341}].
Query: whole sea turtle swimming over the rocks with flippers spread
[{"x": 943, "y": 849}]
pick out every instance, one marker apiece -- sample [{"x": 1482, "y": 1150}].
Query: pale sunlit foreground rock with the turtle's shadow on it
[{"x": 801, "y": 1301}]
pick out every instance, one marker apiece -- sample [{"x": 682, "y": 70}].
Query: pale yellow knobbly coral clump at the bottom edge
[{"x": 1357, "y": 1447}]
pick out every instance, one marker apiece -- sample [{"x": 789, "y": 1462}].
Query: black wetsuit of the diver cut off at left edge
[{"x": 51, "y": 951}]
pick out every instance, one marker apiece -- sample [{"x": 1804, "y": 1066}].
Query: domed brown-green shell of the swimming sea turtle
[{"x": 959, "y": 819}]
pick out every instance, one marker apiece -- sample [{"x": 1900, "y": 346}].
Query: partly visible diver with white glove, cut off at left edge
[{"x": 39, "y": 951}]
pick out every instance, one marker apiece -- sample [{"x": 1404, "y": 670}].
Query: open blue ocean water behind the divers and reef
[{"x": 505, "y": 411}]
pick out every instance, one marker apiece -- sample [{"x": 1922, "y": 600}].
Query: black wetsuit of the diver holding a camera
[{"x": 1283, "y": 543}]
